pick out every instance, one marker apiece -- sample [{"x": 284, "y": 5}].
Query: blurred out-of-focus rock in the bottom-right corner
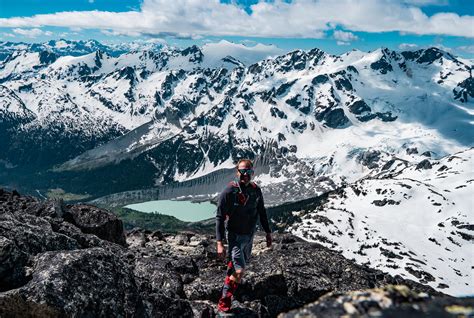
[{"x": 390, "y": 301}]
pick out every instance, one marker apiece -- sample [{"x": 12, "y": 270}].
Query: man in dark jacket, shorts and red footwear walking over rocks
[{"x": 240, "y": 205}]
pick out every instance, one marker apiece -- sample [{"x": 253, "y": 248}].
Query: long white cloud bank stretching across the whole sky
[{"x": 279, "y": 18}]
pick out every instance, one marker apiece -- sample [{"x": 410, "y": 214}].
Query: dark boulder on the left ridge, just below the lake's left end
[{"x": 93, "y": 220}]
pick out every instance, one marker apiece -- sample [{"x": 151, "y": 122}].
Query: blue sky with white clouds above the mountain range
[{"x": 335, "y": 26}]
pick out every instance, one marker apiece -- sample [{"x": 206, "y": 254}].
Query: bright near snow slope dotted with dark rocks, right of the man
[{"x": 411, "y": 220}]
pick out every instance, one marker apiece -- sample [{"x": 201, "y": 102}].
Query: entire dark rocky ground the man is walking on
[{"x": 62, "y": 260}]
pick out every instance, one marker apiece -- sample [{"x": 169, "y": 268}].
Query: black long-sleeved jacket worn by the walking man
[{"x": 241, "y": 207}]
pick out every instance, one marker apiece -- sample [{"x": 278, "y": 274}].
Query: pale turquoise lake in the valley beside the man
[{"x": 182, "y": 210}]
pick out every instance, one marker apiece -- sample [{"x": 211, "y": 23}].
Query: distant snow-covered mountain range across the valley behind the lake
[{"x": 306, "y": 111}]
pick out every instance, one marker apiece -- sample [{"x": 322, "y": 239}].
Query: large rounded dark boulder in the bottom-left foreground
[{"x": 87, "y": 282}]
